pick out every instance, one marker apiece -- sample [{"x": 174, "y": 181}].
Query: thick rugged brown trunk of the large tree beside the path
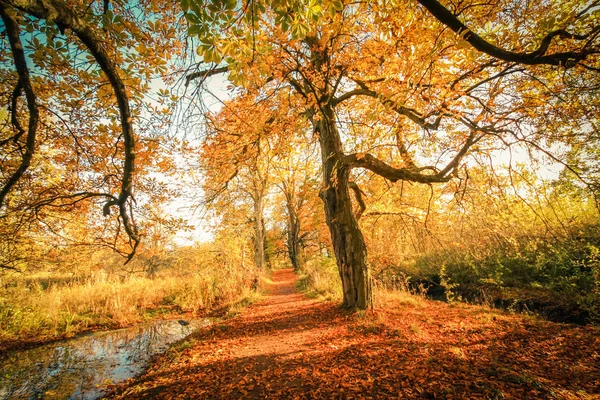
[{"x": 348, "y": 241}]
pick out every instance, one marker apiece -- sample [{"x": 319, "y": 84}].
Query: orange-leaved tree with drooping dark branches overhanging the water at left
[{"x": 78, "y": 122}]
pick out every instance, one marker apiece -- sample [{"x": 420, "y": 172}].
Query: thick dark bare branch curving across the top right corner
[{"x": 535, "y": 57}]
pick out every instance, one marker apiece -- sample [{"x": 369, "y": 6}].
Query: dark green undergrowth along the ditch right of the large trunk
[{"x": 557, "y": 277}]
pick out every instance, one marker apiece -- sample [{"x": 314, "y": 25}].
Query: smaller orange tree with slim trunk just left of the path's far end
[{"x": 237, "y": 167}]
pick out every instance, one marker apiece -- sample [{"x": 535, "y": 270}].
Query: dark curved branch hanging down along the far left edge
[{"x": 12, "y": 29}]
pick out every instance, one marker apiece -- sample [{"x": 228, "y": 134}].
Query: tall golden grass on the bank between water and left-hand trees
[{"x": 31, "y": 309}]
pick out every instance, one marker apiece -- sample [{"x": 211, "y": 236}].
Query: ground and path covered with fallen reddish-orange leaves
[{"x": 290, "y": 346}]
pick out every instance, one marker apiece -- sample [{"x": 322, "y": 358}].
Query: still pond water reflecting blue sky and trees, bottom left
[{"x": 79, "y": 368}]
